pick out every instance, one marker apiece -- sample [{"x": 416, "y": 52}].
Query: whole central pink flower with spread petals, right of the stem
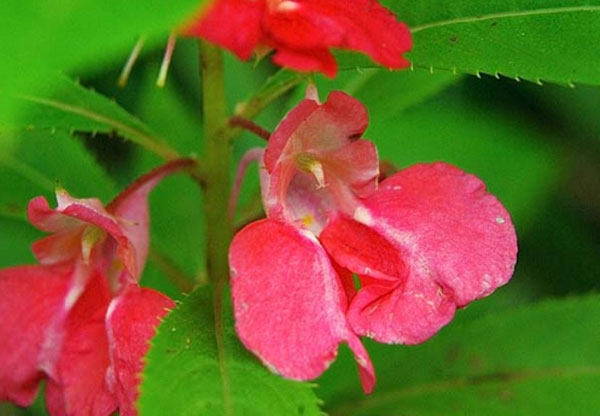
[{"x": 424, "y": 242}]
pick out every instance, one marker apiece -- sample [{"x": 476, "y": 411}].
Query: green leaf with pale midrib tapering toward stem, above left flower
[{"x": 66, "y": 105}]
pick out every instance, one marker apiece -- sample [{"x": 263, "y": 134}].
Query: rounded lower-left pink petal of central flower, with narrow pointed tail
[{"x": 289, "y": 304}]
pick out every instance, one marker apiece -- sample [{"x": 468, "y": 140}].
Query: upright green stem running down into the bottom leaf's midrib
[{"x": 217, "y": 154}]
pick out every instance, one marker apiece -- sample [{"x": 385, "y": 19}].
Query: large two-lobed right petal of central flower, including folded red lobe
[{"x": 453, "y": 243}]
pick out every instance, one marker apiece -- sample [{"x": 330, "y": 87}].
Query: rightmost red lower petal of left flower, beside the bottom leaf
[{"x": 131, "y": 322}]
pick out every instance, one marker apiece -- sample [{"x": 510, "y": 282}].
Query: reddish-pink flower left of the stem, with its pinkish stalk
[{"x": 79, "y": 319}]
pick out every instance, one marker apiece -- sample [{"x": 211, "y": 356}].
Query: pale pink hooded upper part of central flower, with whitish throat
[{"x": 320, "y": 165}]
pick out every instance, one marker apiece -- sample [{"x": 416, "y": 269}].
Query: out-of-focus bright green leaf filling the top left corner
[{"x": 41, "y": 36}]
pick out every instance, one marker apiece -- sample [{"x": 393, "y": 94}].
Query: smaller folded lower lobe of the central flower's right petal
[{"x": 392, "y": 306}]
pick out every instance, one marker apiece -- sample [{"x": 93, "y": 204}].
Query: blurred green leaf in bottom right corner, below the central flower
[{"x": 540, "y": 359}]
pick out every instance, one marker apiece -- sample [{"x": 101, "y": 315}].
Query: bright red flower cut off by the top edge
[{"x": 303, "y": 31}]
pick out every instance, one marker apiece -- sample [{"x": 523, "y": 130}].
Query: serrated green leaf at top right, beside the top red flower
[{"x": 550, "y": 40}]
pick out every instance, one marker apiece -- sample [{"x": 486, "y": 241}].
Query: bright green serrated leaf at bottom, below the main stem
[{"x": 183, "y": 375}]
